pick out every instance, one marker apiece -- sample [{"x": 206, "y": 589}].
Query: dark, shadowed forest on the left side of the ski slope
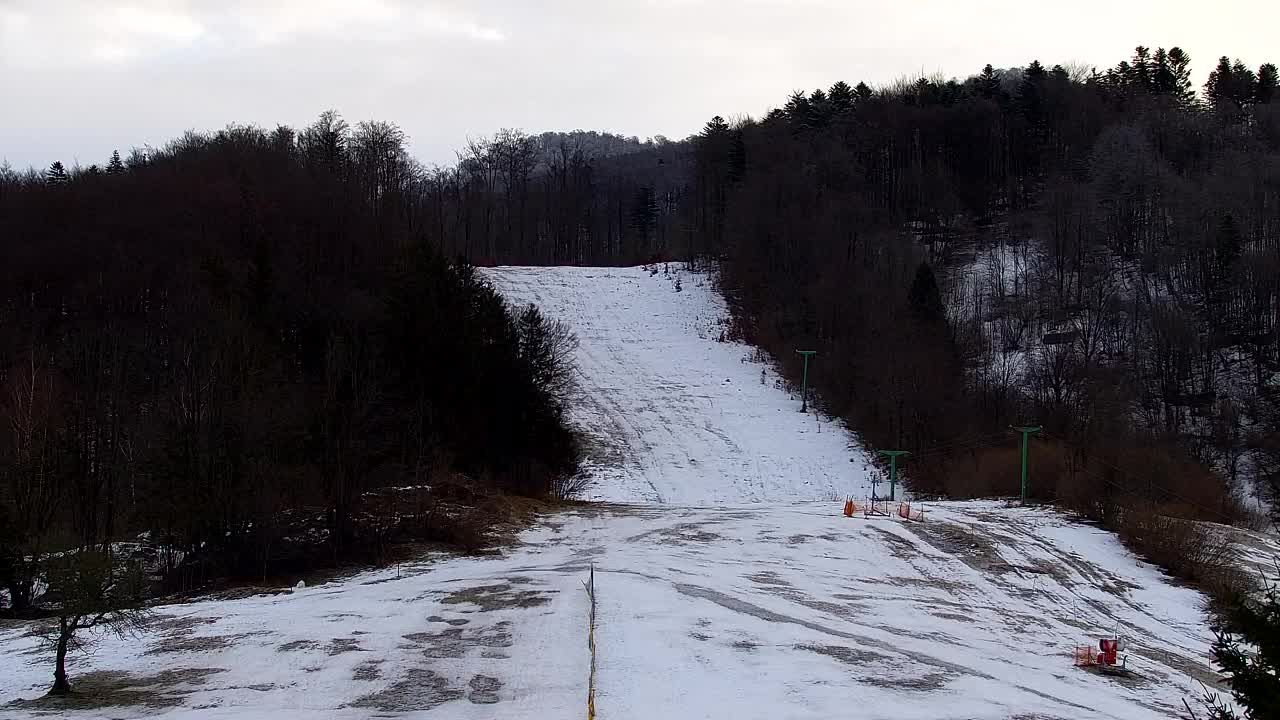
[{"x": 231, "y": 341}]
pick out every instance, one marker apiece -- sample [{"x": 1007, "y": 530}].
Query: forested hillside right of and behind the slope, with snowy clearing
[{"x": 1094, "y": 252}]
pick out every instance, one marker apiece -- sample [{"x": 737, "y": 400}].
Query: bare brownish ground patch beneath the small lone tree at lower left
[{"x": 116, "y": 689}]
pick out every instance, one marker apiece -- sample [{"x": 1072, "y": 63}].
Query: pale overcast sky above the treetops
[{"x": 83, "y": 78}]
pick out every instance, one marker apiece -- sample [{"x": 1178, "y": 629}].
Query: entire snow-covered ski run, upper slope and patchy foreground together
[{"x": 729, "y": 584}]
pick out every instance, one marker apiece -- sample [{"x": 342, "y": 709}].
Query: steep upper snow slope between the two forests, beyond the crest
[{"x": 678, "y": 416}]
